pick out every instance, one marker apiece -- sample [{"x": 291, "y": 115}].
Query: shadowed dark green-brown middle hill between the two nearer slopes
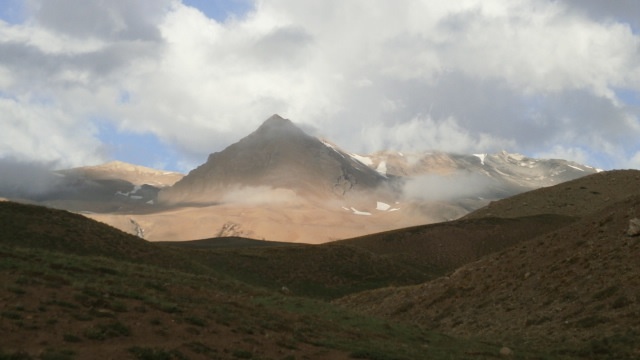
[{"x": 400, "y": 257}]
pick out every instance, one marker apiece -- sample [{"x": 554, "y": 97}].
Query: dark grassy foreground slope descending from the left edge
[{"x": 69, "y": 292}]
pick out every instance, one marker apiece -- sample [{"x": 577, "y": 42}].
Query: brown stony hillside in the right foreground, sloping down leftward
[{"x": 575, "y": 287}]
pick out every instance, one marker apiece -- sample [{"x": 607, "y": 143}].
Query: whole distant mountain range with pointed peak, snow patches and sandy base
[{"x": 280, "y": 183}]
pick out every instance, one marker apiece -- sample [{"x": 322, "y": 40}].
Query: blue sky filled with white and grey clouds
[{"x": 164, "y": 83}]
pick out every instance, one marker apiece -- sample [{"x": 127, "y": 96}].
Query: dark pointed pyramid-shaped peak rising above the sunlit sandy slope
[{"x": 278, "y": 155}]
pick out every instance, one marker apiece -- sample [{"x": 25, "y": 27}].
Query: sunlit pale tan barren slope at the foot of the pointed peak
[{"x": 303, "y": 222}]
